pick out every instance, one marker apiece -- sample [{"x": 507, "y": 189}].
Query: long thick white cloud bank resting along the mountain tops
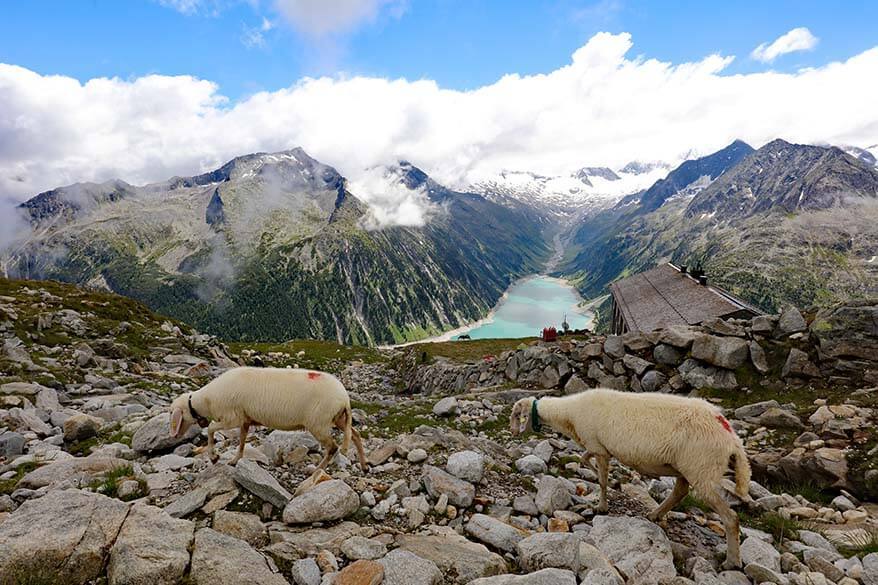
[{"x": 602, "y": 109}]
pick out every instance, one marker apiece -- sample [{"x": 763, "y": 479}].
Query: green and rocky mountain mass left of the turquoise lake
[{"x": 275, "y": 246}]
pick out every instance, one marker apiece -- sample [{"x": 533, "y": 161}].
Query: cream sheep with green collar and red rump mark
[{"x": 656, "y": 434}]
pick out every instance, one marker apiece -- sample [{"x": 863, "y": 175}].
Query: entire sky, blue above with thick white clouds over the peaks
[{"x": 143, "y": 90}]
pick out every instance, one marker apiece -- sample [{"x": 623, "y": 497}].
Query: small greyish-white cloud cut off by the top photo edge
[{"x": 322, "y": 18}]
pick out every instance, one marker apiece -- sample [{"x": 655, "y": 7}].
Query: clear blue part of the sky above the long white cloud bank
[{"x": 461, "y": 44}]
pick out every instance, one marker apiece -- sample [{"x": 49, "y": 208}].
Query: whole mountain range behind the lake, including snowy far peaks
[{"x": 280, "y": 245}]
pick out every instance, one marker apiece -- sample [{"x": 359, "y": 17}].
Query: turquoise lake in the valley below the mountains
[{"x": 532, "y": 304}]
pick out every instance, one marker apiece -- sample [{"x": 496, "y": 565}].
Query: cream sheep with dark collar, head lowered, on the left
[{"x": 278, "y": 398}]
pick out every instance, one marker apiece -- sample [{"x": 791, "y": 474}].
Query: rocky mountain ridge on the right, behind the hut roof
[{"x": 808, "y": 243}]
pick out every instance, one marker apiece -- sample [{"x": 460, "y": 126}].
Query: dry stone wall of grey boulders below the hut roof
[{"x": 837, "y": 346}]
